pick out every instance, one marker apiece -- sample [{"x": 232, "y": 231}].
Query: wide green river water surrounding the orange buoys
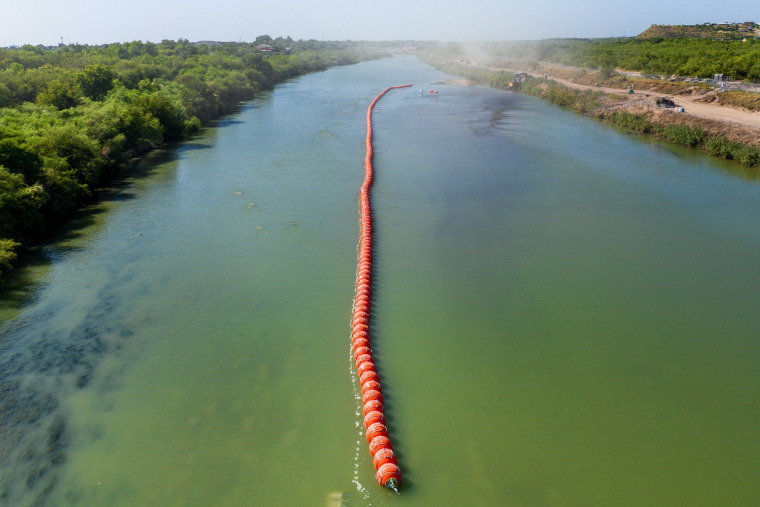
[{"x": 563, "y": 314}]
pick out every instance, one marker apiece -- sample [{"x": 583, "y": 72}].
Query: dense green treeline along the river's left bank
[{"x": 71, "y": 116}]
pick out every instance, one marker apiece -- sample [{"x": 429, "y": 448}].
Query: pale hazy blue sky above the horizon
[{"x": 104, "y": 21}]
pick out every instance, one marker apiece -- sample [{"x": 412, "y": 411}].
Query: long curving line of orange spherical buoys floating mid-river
[{"x": 388, "y": 472}]
